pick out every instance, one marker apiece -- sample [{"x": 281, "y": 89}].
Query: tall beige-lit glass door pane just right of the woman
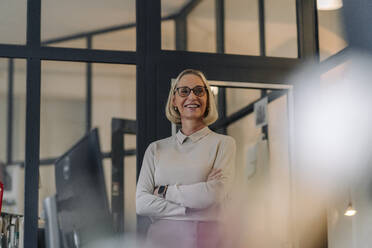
[{"x": 262, "y": 172}]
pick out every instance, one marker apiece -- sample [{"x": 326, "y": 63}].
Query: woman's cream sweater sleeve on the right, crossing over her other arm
[{"x": 205, "y": 194}]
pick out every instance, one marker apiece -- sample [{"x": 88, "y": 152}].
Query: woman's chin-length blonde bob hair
[{"x": 210, "y": 115}]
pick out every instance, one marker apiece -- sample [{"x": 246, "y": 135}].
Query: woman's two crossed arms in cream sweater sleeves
[{"x": 179, "y": 197}]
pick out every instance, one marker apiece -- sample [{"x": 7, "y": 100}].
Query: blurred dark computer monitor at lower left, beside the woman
[{"x": 82, "y": 205}]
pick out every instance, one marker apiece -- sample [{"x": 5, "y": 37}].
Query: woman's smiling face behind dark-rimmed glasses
[{"x": 191, "y": 106}]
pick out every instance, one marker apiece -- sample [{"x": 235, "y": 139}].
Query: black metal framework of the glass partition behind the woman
[{"x": 155, "y": 68}]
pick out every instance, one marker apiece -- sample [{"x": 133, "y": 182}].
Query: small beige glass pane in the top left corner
[{"x": 13, "y": 21}]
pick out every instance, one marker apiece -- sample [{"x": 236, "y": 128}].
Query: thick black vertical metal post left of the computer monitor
[{"x": 32, "y": 152}]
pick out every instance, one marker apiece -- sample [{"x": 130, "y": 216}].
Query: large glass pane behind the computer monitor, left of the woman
[{"x": 63, "y": 119}]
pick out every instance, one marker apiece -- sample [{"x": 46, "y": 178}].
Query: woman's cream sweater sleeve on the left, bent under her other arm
[{"x": 147, "y": 203}]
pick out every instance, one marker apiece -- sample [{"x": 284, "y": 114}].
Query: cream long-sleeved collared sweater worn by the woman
[{"x": 184, "y": 162}]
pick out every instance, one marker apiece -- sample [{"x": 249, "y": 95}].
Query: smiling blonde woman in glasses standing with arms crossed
[{"x": 185, "y": 178}]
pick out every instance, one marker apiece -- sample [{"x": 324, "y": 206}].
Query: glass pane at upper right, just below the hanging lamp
[{"x": 332, "y": 37}]
